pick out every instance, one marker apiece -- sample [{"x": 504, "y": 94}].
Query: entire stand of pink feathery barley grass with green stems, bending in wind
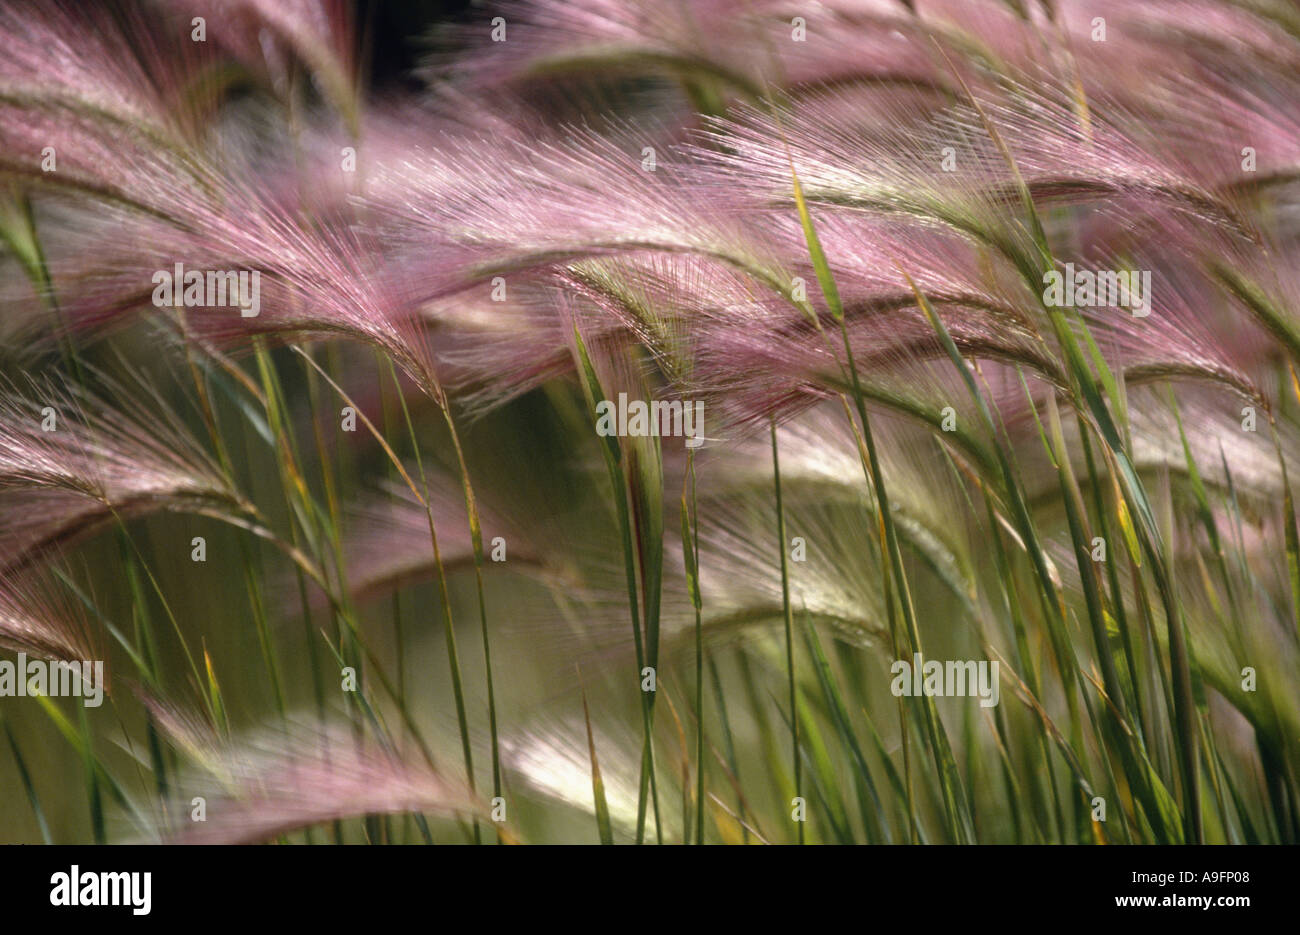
[{"x": 331, "y": 423}]
